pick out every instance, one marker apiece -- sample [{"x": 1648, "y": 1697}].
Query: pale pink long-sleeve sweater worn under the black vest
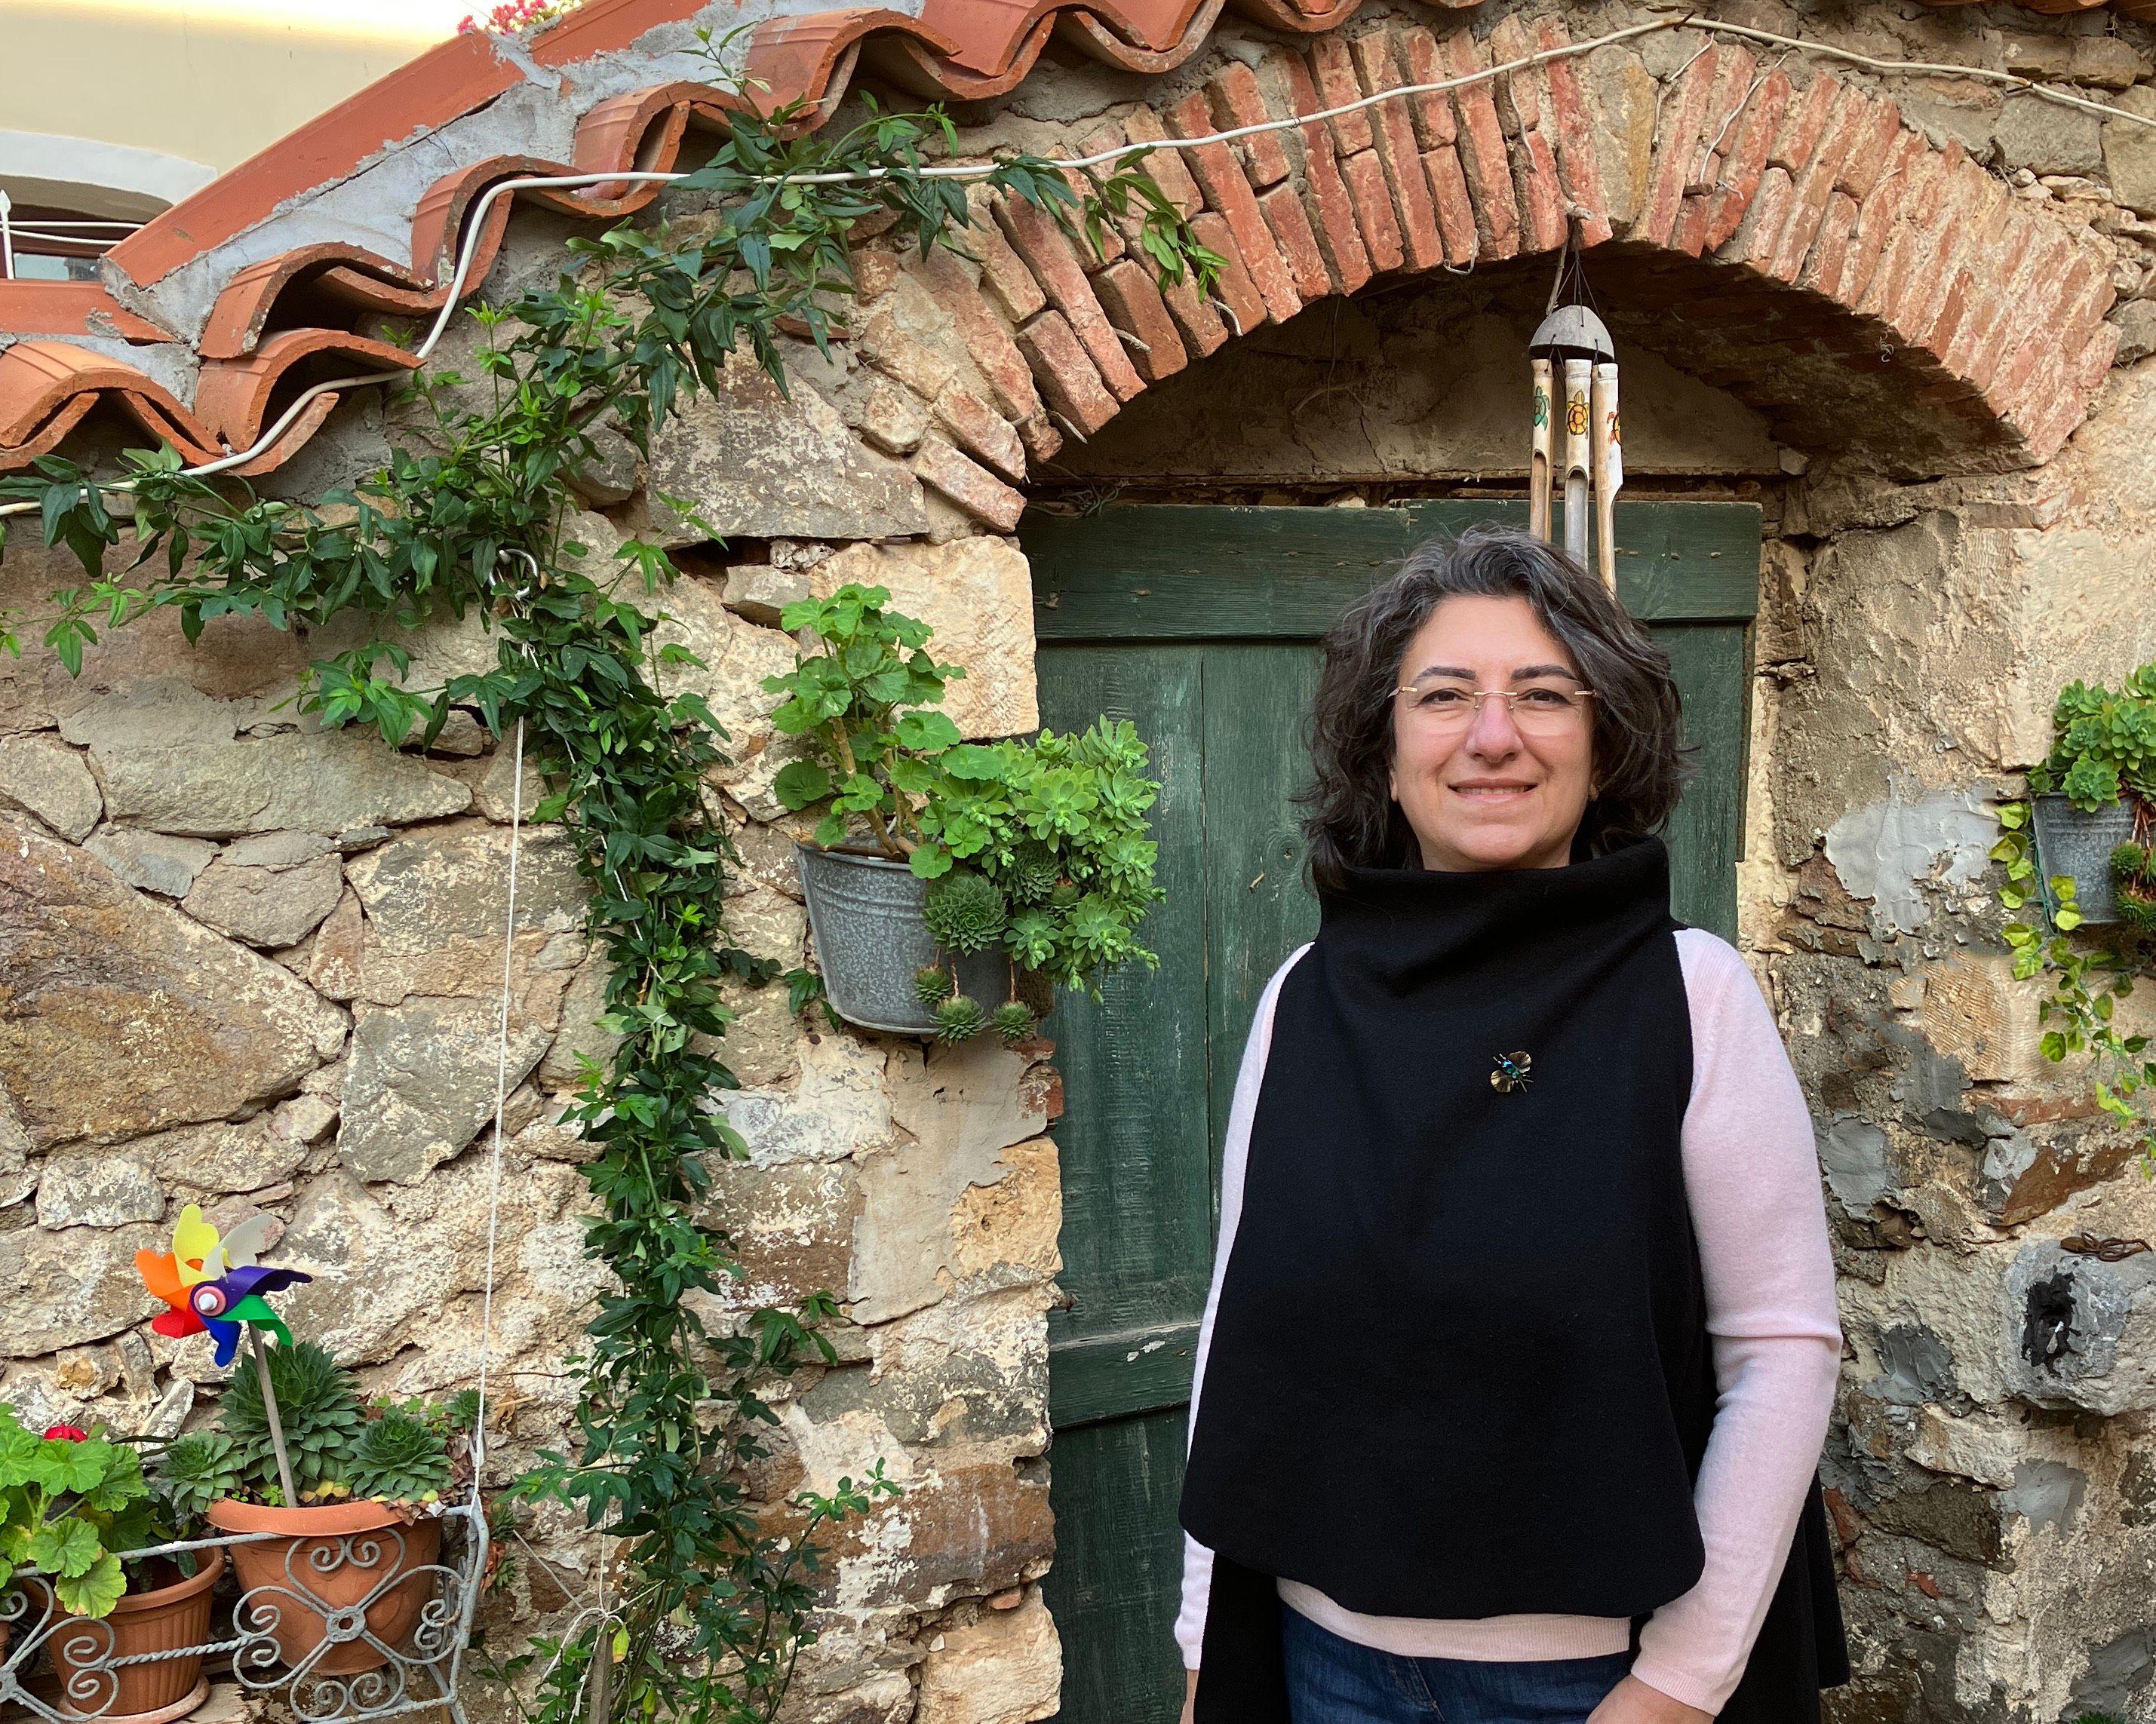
[{"x": 1754, "y": 1186}]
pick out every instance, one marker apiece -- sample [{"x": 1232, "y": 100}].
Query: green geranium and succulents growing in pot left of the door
[{"x": 1032, "y": 848}]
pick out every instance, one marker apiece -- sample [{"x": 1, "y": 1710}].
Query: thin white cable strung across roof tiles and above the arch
[{"x": 478, "y": 225}]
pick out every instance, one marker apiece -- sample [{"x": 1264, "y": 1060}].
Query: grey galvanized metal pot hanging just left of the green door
[{"x": 870, "y": 941}]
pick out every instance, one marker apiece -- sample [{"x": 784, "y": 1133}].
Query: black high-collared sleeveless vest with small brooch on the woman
[{"x": 1461, "y": 1363}]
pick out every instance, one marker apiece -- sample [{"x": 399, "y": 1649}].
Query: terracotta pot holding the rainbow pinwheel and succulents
[{"x": 350, "y": 1574}]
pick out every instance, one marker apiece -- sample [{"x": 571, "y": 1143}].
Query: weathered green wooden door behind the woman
[{"x": 1200, "y": 626}]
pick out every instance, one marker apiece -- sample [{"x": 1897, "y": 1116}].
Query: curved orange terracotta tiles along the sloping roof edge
[{"x": 288, "y": 316}]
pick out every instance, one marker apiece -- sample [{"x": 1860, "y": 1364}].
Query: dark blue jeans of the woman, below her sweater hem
[{"x": 1342, "y": 1682}]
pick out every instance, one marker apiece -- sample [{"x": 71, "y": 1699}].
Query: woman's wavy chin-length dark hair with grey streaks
[{"x": 1640, "y": 760}]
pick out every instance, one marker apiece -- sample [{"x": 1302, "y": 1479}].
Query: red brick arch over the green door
[{"x": 1788, "y": 240}]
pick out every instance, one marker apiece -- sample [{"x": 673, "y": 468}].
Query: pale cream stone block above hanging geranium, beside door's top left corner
[{"x": 978, "y": 596}]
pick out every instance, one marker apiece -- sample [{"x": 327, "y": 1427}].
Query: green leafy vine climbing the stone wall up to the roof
[{"x": 708, "y": 1598}]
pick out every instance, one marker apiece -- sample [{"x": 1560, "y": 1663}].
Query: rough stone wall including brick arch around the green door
[{"x": 255, "y": 967}]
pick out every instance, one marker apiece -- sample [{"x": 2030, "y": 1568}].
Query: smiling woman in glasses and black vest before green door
[{"x": 1521, "y": 1341}]
